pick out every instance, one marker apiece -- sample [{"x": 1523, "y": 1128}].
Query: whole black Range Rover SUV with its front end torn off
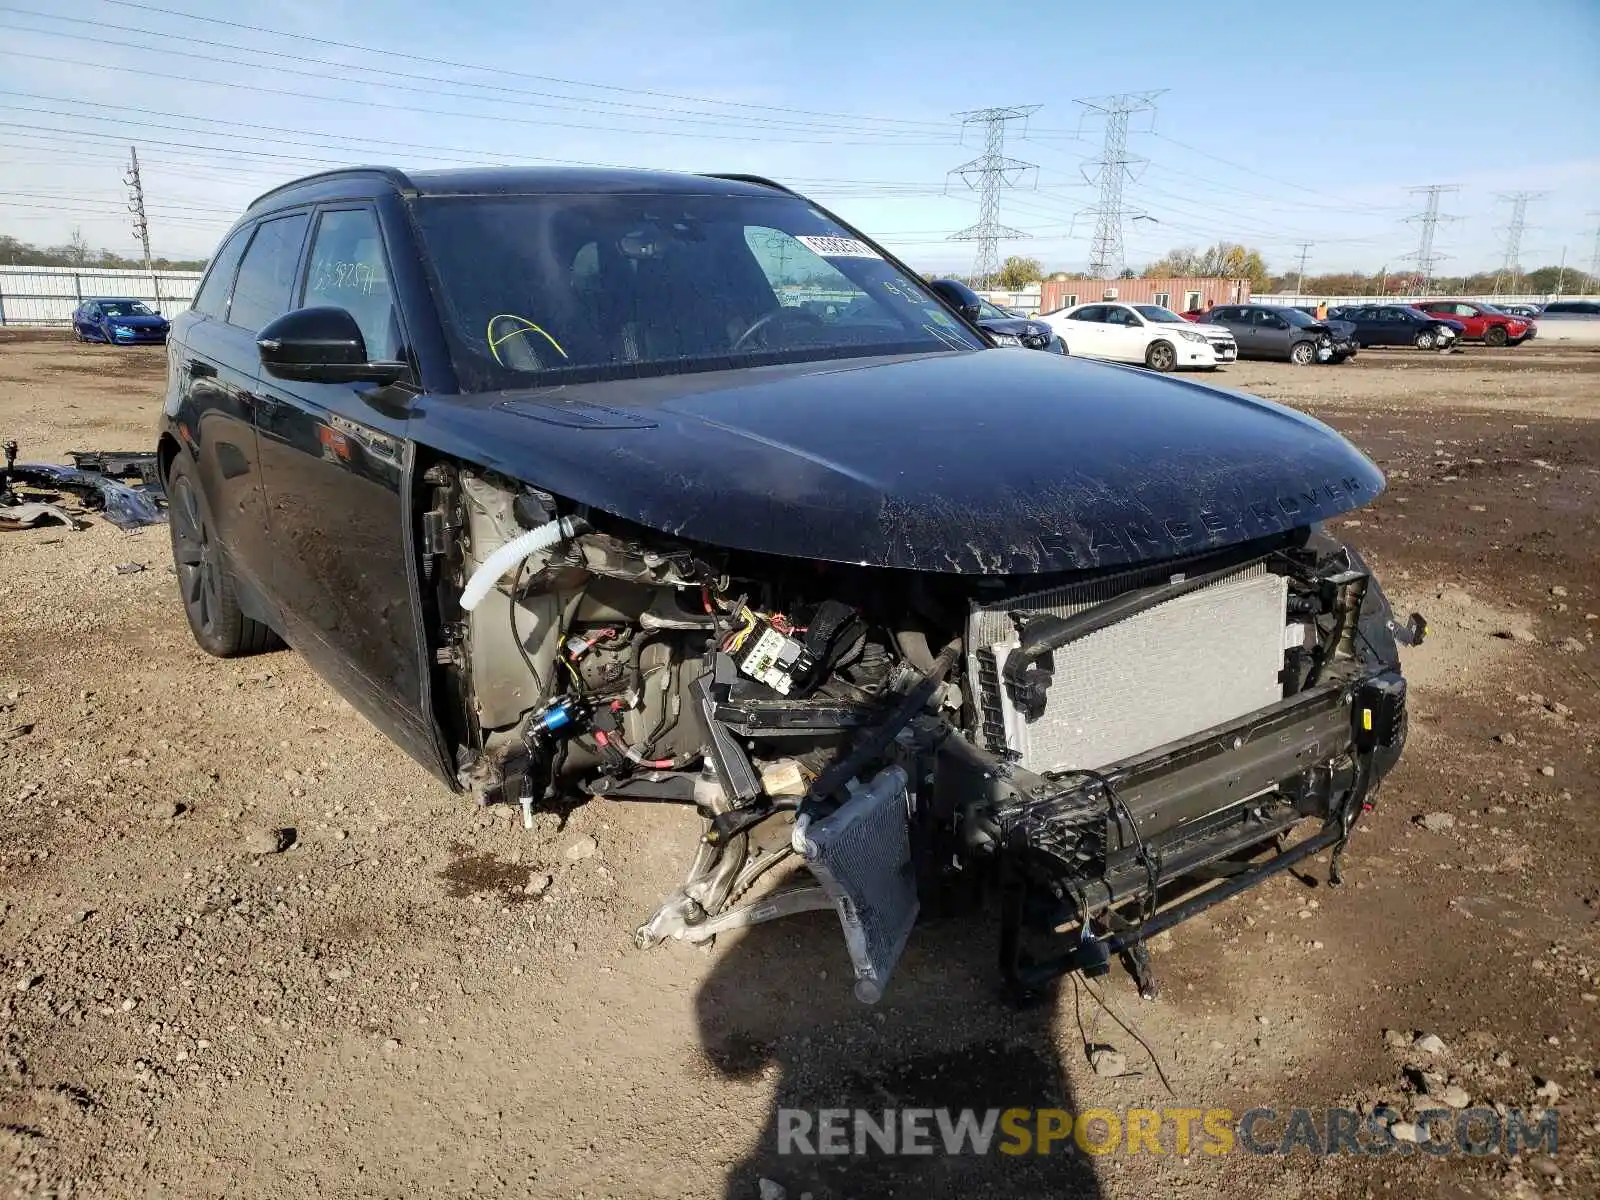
[{"x": 678, "y": 489}]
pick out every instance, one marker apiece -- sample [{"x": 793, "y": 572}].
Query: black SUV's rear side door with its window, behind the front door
[{"x": 214, "y": 367}]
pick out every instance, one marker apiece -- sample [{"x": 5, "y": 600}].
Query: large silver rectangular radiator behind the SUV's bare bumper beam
[{"x": 1166, "y": 674}]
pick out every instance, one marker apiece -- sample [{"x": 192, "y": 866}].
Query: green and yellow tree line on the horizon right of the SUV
[{"x": 1231, "y": 260}]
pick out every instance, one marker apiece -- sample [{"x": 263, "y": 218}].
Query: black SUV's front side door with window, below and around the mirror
[{"x": 337, "y": 470}]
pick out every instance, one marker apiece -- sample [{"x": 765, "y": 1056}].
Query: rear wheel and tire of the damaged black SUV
[{"x": 204, "y": 582}]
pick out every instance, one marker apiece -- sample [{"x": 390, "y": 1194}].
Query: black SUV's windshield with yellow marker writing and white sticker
[{"x": 562, "y": 289}]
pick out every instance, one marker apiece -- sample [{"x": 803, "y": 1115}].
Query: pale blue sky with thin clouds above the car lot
[{"x": 1273, "y": 126}]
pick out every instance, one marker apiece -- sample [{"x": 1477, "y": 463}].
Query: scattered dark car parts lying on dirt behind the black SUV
[{"x": 30, "y": 492}]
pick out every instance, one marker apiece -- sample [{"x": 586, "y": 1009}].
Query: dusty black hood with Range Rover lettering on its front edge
[{"x": 980, "y": 462}]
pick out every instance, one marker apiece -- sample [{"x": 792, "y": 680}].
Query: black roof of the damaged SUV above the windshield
[{"x": 522, "y": 182}]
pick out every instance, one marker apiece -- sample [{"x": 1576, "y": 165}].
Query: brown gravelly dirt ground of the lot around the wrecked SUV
[{"x": 393, "y": 1006}]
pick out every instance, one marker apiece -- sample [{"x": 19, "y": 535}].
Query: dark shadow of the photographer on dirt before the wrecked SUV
[{"x": 780, "y": 996}]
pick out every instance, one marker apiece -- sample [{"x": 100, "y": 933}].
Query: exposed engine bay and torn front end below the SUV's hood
[{"x": 1086, "y": 748}]
